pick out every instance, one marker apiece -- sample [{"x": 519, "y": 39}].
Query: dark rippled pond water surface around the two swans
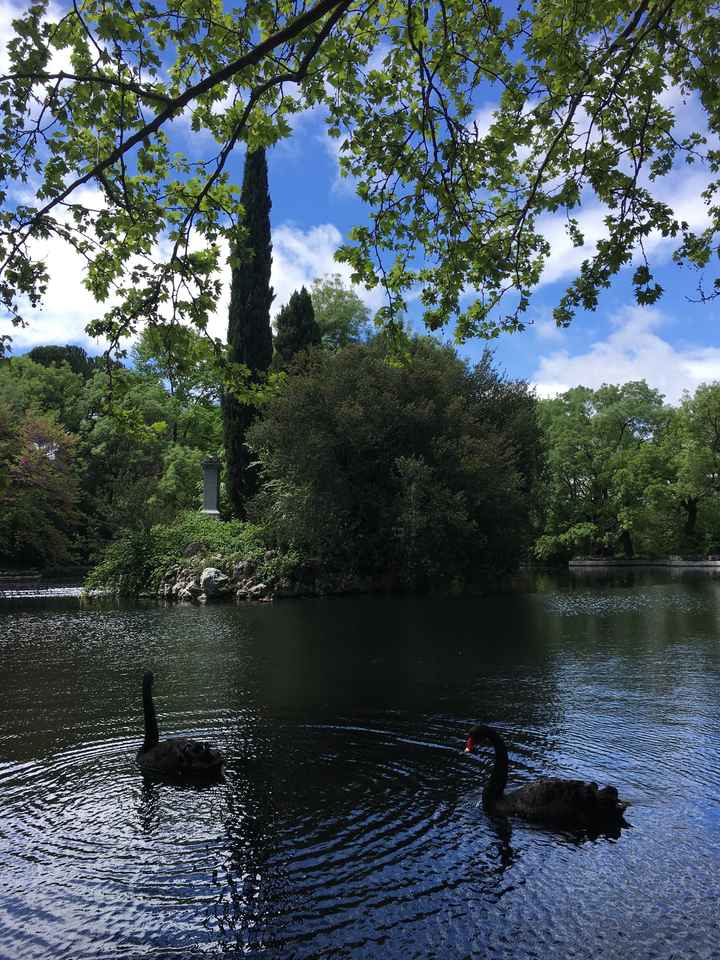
[{"x": 350, "y": 824}]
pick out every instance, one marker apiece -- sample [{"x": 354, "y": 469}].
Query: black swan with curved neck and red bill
[{"x": 564, "y": 802}]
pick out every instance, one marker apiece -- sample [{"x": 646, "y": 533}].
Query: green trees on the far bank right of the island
[{"x": 628, "y": 475}]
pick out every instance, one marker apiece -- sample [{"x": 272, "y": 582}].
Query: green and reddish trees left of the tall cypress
[{"x": 84, "y": 458}]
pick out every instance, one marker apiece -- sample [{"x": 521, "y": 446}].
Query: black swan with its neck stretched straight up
[{"x": 177, "y": 757}]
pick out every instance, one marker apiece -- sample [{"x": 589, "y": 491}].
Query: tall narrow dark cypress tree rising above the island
[{"x": 249, "y": 332}]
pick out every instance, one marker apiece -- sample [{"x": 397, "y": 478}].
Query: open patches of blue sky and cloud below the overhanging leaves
[{"x": 674, "y": 345}]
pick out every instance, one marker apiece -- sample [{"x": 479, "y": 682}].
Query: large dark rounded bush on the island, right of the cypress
[{"x": 423, "y": 470}]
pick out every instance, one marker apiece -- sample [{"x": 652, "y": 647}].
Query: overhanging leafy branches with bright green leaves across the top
[{"x": 95, "y": 103}]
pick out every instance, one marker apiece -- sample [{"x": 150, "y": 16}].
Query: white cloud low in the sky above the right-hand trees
[{"x": 633, "y": 351}]
